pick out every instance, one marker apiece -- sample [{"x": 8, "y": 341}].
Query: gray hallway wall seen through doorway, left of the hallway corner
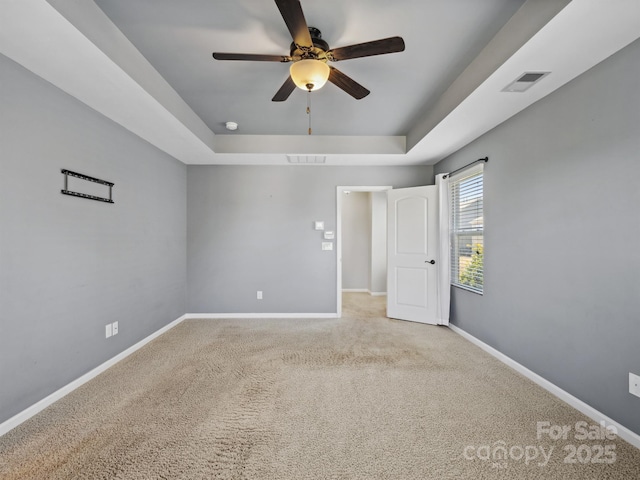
[{"x": 356, "y": 240}]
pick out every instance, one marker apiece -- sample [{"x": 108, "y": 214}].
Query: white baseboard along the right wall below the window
[{"x": 622, "y": 431}]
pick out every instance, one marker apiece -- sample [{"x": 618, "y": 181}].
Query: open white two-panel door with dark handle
[{"x": 412, "y": 254}]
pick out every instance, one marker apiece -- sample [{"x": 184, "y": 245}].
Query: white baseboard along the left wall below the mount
[{"x": 29, "y": 412}]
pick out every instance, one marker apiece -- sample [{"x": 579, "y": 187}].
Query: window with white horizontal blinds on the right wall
[{"x": 467, "y": 230}]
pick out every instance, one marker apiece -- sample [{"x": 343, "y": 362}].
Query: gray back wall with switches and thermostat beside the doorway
[{"x": 251, "y": 228}]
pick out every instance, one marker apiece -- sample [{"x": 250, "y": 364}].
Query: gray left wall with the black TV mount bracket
[{"x": 69, "y": 266}]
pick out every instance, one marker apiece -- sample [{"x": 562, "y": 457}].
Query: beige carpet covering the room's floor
[{"x": 362, "y": 397}]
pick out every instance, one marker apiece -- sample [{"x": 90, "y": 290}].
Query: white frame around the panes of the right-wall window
[{"x": 456, "y": 233}]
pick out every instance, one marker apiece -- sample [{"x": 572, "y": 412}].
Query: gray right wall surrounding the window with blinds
[{"x": 562, "y": 263}]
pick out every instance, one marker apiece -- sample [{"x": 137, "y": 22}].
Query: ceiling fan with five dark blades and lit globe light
[{"x": 309, "y": 55}]
